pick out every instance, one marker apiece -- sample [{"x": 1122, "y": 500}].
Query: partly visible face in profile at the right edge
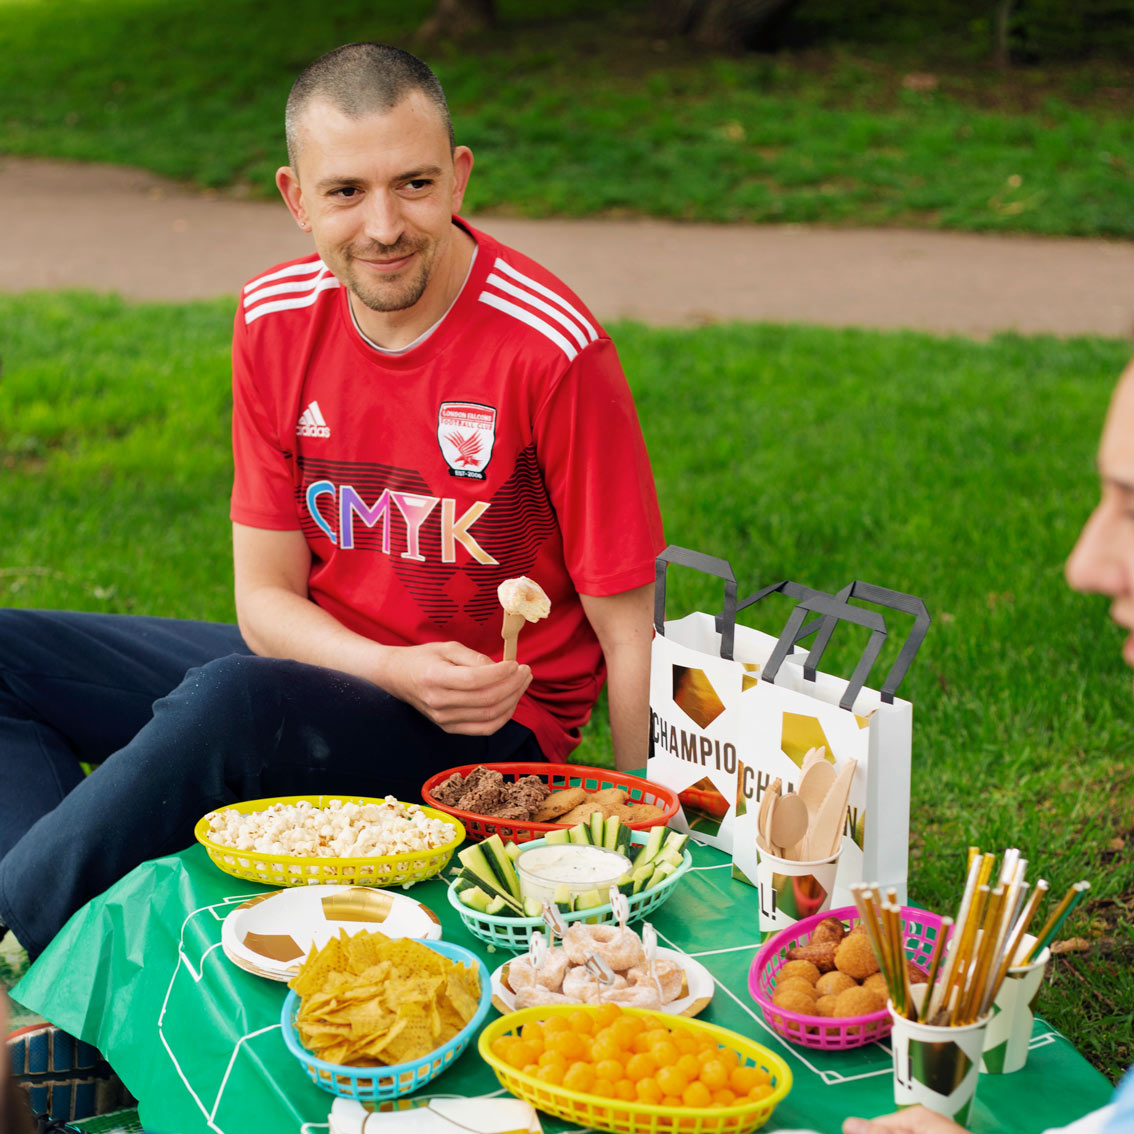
[{"x": 1103, "y": 562}]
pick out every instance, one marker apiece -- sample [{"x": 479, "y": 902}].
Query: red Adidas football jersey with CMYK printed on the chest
[{"x": 506, "y": 444}]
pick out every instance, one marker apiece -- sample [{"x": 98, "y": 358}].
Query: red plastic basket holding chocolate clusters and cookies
[{"x": 557, "y": 777}]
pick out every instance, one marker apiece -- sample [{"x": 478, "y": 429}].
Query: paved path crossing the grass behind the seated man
[{"x": 124, "y": 231}]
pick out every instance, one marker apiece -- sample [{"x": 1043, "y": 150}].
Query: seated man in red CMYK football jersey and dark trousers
[{"x": 420, "y": 414}]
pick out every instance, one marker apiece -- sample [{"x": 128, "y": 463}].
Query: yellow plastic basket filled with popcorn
[{"x": 294, "y": 870}]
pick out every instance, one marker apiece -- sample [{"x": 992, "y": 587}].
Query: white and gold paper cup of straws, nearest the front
[{"x": 937, "y": 1068}]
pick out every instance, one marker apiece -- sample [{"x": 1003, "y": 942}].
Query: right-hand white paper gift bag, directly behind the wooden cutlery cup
[{"x": 783, "y": 720}]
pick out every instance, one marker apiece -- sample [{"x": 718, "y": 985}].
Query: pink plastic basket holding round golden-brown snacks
[{"x": 920, "y": 933}]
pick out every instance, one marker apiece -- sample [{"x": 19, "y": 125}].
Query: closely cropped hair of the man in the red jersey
[{"x": 359, "y": 80}]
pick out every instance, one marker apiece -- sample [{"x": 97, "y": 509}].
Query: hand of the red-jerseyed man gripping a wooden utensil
[{"x": 458, "y": 689}]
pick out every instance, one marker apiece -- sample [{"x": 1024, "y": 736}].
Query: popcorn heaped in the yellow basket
[{"x": 341, "y": 831}]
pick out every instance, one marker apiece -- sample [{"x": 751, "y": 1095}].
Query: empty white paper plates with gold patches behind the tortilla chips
[{"x": 270, "y": 936}]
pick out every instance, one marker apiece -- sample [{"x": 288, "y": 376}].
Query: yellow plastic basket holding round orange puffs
[{"x": 640, "y": 1118}]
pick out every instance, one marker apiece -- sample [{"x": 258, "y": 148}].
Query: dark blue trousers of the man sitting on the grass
[{"x": 181, "y": 720}]
